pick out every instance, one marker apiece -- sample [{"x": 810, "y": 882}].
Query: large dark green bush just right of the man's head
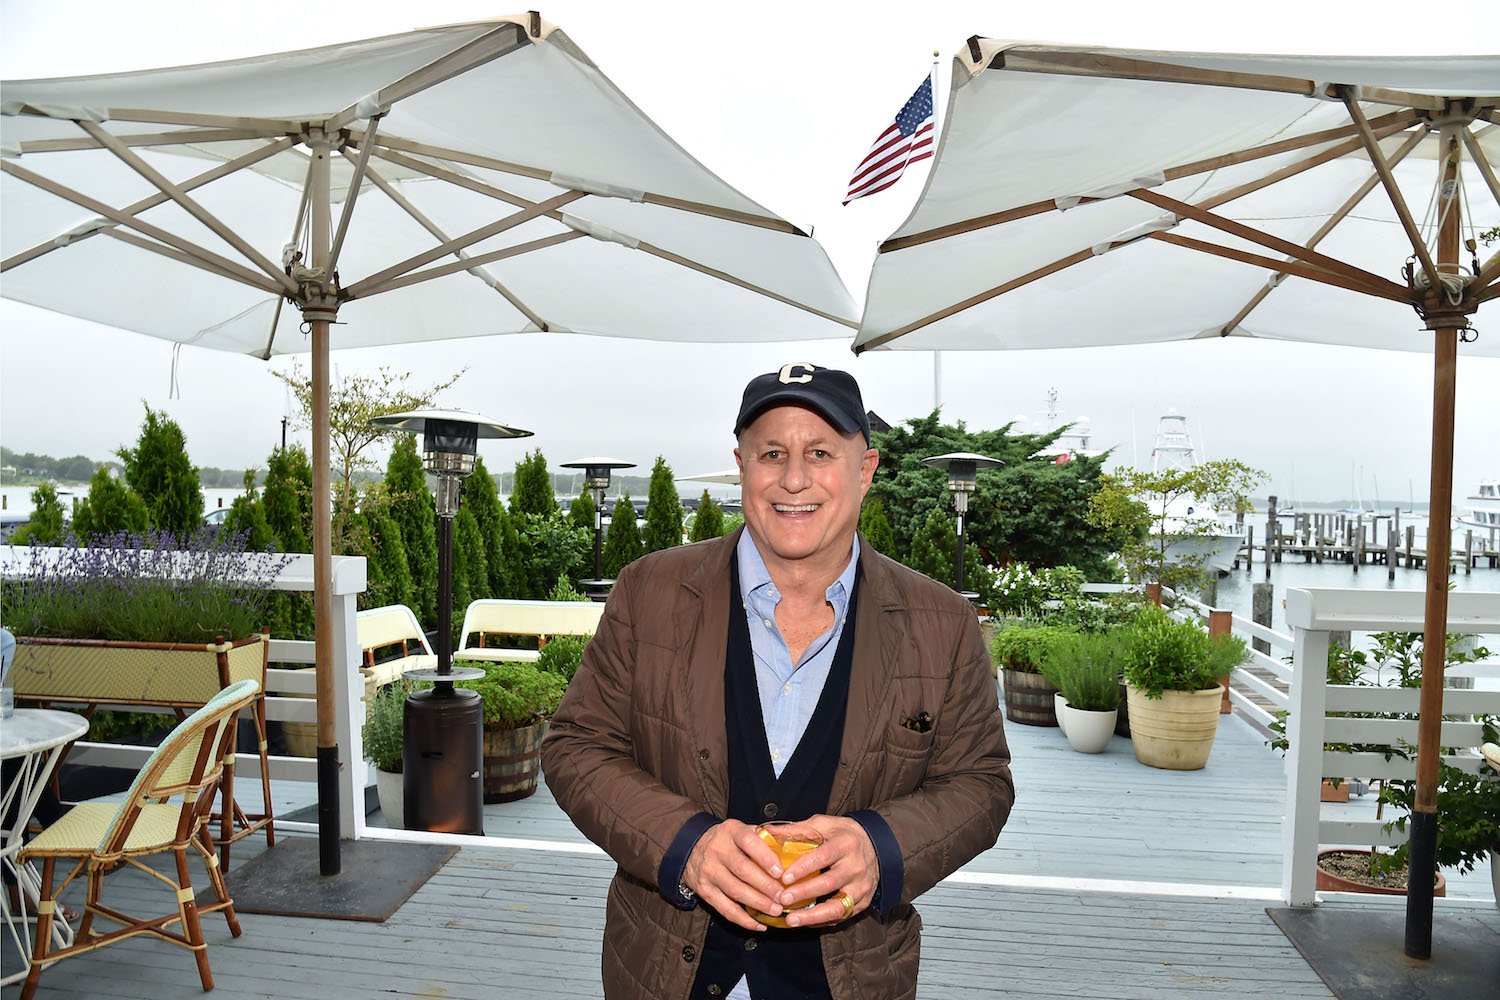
[{"x": 1028, "y": 510}]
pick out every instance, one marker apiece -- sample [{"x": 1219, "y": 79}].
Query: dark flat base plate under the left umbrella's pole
[{"x": 374, "y": 881}]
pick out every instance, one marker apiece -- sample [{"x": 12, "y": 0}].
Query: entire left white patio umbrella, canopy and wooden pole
[{"x": 455, "y": 182}]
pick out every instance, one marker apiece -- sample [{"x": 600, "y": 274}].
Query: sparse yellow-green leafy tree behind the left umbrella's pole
[{"x": 353, "y": 403}]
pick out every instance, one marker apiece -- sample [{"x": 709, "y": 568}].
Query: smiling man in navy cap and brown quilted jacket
[{"x": 787, "y": 672}]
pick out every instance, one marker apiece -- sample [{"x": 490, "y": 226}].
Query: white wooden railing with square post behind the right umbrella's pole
[{"x": 1313, "y": 615}]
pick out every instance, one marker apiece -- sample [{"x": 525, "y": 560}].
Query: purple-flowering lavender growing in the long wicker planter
[{"x": 145, "y": 588}]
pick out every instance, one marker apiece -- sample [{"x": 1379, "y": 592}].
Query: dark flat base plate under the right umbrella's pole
[{"x": 1361, "y": 956}]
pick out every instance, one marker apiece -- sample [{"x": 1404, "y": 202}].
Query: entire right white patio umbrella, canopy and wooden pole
[{"x": 1088, "y": 197}]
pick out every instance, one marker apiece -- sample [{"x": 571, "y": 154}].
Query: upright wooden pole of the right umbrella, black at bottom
[{"x": 1423, "y": 861}]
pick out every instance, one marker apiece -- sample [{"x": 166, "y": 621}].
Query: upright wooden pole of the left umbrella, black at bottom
[{"x": 320, "y": 314}]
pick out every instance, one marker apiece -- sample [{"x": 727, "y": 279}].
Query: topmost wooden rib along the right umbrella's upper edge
[{"x": 1120, "y": 68}]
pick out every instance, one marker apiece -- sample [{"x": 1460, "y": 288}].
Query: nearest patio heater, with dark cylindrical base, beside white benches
[{"x": 445, "y": 752}]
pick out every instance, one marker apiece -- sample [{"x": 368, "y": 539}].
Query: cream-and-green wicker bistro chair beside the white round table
[{"x": 166, "y": 810}]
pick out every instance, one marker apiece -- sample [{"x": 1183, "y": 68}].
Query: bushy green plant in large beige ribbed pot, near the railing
[{"x": 1172, "y": 678}]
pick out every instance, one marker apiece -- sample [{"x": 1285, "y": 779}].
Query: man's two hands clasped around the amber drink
[{"x": 731, "y": 867}]
